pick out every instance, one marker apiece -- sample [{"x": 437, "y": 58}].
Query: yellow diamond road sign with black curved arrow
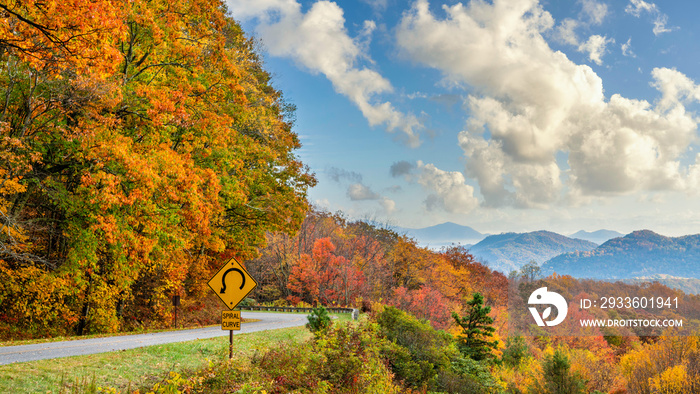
[{"x": 232, "y": 283}]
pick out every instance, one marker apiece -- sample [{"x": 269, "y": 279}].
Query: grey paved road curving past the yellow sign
[{"x": 23, "y": 353}]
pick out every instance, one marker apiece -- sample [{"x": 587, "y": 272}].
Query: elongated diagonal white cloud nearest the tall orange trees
[{"x": 319, "y": 42}]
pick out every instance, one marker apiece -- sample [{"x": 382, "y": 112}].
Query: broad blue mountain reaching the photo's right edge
[{"x": 639, "y": 254}]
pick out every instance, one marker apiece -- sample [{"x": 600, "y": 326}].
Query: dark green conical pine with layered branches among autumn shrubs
[{"x": 475, "y": 340}]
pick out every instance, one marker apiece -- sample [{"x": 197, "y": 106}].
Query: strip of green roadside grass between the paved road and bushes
[{"x": 137, "y": 368}]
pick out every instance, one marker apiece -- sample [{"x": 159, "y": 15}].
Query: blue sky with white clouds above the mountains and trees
[{"x": 510, "y": 115}]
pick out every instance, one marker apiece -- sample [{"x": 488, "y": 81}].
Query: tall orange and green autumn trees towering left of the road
[{"x": 141, "y": 143}]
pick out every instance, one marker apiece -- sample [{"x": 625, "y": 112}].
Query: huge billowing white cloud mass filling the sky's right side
[{"x": 531, "y": 106}]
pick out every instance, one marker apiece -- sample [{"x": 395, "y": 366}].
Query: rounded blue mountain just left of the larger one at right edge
[{"x": 510, "y": 251}]
